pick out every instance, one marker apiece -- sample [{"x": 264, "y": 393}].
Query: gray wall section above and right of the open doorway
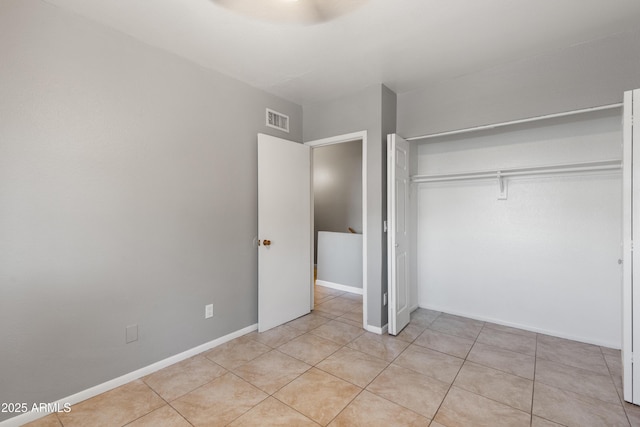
[{"x": 368, "y": 110}]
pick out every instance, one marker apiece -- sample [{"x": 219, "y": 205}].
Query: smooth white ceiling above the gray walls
[{"x": 405, "y": 44}]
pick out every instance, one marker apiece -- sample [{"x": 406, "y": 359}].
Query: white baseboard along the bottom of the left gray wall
[{"x": 127, "y": 378}]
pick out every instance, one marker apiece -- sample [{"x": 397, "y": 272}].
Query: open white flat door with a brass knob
[{"x": 285, "y": 259}]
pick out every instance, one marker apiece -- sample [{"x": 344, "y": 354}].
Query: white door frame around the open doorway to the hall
[{"x": 361, "y": 135}]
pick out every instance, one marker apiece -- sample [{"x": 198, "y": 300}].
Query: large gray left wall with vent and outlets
[{"x": 128, "y": 194}]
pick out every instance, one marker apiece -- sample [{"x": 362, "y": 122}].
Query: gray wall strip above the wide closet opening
[{"x": 581, "y": 76}]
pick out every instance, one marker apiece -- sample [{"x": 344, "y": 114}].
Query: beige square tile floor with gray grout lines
[{"x": 324, "y": 369}]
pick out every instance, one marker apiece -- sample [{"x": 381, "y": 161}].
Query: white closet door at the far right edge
[{"x": 631, "y": 258}]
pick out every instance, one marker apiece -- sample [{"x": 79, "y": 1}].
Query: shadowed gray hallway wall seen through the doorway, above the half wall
[{"x": 337, "y": 188}]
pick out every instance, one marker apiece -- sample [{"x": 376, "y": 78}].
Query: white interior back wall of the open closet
[{"x": 539, "y": 253}]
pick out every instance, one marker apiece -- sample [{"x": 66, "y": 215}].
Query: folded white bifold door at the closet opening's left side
[{"x": 398, "y": 237}]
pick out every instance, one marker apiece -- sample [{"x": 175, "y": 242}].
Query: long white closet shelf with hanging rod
[{"x": 599, "y": 165}]
